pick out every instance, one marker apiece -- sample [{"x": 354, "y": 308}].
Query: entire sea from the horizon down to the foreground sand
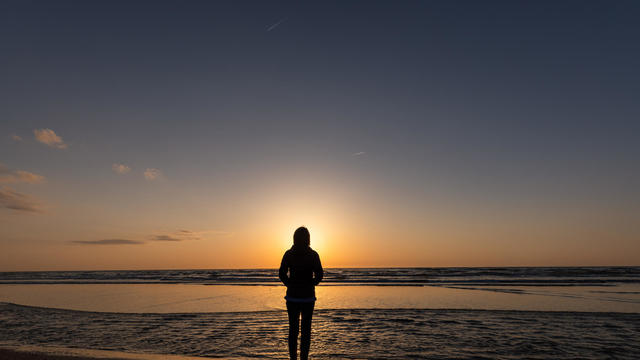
[{"x": 390, "y": 313}]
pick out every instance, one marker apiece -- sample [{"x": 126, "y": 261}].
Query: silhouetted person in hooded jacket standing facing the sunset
[{"x": 300, "y": 271}]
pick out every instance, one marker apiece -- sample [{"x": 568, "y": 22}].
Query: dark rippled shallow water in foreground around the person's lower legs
[{"x": 380, "y": 334}]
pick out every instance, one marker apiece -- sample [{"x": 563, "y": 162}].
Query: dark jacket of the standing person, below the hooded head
[{"x": 304, "y": 272}]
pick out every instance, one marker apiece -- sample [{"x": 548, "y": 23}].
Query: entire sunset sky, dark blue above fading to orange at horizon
[{"x": 201, "y": 134}]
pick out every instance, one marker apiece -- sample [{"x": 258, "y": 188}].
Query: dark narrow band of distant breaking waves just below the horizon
[{"x": 513, "y": 276}]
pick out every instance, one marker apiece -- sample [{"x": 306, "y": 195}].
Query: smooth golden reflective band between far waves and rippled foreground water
[{"x": 172, "y": 298}]
